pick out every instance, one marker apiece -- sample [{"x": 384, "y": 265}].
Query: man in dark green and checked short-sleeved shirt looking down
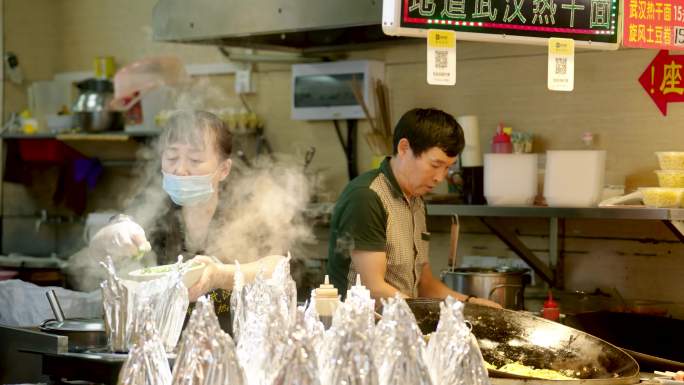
[{"x": 378, "y": 227}]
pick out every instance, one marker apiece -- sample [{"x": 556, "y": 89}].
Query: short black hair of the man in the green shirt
[{"x": 425, "y": 128}]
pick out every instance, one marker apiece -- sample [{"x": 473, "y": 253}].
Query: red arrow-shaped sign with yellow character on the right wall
[{"x": 662, "y": 79}]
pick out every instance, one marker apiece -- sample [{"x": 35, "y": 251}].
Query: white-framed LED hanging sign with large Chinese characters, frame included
[{"x": 591, "y": 23}]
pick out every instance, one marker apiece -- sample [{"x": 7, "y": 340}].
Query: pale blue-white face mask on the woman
[{"x": 188, "y": 190}]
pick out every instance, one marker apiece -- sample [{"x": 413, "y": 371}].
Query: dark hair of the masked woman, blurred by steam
[{"x": 191, "y": 126}]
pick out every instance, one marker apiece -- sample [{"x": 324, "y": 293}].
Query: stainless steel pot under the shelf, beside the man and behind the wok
[{"x": 503, "y": 286}]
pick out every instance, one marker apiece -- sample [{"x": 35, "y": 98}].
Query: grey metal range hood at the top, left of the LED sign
[{"x": 303, "y": 26}]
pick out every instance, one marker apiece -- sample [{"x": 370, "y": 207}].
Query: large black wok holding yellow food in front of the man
[{"x": 506, "y": 336}]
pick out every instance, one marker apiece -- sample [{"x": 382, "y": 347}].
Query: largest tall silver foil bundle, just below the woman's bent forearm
[{"x": 264, "y": 314}]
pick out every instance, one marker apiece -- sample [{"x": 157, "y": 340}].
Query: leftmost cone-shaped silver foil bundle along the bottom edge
[{"x": 147, "y": 363}]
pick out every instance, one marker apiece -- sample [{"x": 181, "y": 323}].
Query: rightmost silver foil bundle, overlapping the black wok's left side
[{"x": 453, "y": 355}]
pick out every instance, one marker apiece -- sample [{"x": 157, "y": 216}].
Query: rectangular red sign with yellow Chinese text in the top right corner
[{"x": 653, "y": 24}]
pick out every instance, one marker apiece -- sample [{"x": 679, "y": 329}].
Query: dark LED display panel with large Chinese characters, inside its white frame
[{"x": 586, "y": 20}]
